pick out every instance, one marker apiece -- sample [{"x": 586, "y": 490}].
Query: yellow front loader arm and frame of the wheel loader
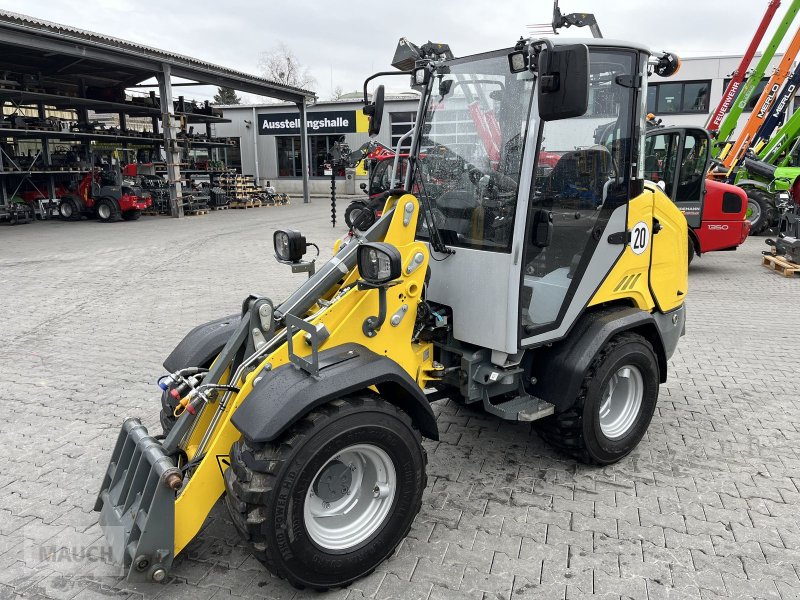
[{"x": 343, "y": 319}]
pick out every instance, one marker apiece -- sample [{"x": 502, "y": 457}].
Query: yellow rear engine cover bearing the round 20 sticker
[{"x": 656, "y": 279}]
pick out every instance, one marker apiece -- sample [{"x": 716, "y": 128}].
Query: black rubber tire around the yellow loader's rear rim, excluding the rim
[{"x": 578, "y": 432}]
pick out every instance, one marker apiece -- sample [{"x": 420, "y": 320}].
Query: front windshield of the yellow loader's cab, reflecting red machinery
[{"x": 470, "y": 151}]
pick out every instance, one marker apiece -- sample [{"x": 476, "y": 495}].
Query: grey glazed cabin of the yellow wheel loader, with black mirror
[{"x": 520, "y": 193}]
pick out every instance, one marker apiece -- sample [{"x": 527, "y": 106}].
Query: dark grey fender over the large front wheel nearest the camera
[{"x": 282, "y": 396}]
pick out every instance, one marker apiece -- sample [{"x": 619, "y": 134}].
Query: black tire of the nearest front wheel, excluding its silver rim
[{"x": 267, "y": 485}]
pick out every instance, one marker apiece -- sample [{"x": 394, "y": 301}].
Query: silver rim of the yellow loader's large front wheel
[{"x": 350, "y": 497}]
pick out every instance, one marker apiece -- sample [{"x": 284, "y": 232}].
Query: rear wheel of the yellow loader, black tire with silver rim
[{"x": 614, "y": 406}]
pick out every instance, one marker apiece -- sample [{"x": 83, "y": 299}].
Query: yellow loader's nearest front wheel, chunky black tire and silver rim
[{"x": 333, "y": 497}]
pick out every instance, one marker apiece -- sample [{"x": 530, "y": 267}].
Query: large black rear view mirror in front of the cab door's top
[{"x": 563, "y": 90}]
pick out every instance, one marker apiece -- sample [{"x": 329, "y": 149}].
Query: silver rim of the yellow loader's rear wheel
[{"x": 621, "y": 402}]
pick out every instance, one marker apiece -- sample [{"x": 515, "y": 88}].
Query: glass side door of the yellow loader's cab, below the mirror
[{"x": 577, "y": 211}]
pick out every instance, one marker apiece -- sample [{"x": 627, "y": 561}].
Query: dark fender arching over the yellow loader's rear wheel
[{"x": 559, "y": 372}]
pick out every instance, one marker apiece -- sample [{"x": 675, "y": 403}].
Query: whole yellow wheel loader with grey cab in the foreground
[{"x": 529, "y": 270}]
